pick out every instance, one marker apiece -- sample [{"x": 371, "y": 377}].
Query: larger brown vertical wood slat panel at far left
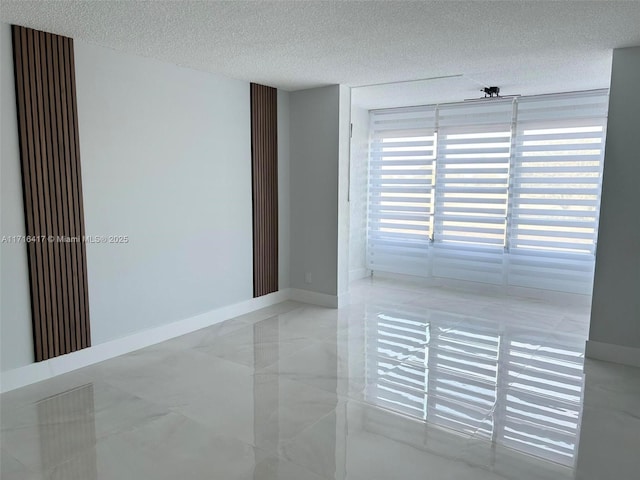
[{"x": 52, "y": 189}]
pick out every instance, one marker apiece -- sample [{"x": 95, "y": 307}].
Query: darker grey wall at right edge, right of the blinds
[{"x": 615, "y": 312}]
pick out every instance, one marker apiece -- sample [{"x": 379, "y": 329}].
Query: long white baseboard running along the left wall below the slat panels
[{"x": 35, "y": 372}]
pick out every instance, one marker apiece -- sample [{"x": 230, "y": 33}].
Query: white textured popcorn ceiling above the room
[{"x": 525, "y": 47}]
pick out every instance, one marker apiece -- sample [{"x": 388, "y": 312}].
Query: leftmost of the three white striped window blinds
[{"x": 402, "y": 155}]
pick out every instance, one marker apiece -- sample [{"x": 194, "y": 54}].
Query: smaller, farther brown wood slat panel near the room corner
[{"x": 264, "y": 171}]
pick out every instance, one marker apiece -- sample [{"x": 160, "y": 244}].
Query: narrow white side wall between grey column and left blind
[{"x": 358, "y": 193}]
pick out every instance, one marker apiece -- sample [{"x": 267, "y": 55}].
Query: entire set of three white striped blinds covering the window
[{"x": 498, "y": 191}]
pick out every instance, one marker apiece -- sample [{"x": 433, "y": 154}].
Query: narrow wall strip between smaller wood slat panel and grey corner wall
[{"x": 283, "y": 189}]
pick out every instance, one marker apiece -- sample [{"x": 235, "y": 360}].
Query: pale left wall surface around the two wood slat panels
[{"x": 166, "y": 160}]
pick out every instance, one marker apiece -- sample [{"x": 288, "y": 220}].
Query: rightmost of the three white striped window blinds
[{"x": 556, "y": 191}]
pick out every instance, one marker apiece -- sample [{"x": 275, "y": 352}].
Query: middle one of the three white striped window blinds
[{"x": 472, "y": 180}]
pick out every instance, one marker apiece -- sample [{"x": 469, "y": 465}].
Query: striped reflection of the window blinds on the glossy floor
[{"x": 479, "y": 377}]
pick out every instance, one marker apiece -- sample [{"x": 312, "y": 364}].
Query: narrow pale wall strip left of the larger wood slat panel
[{"x": 16, "y": 344}]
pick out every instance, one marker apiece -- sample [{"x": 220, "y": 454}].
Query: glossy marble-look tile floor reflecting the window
[{"x": 407, "y": 382}]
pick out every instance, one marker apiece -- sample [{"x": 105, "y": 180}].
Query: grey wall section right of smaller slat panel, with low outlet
[{"x": 314, "y": 150}]
